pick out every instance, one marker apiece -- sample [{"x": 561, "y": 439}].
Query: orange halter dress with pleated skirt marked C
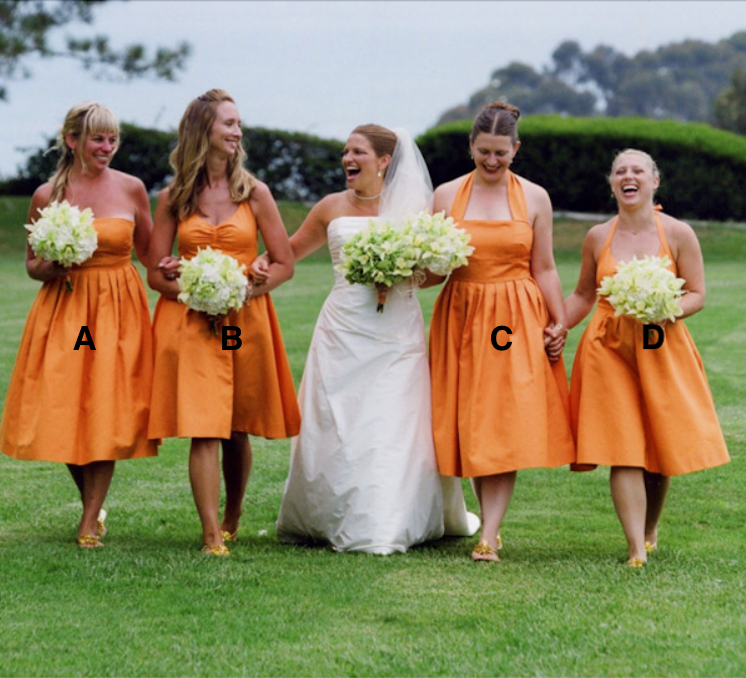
[{"x": 496, "y": 411}]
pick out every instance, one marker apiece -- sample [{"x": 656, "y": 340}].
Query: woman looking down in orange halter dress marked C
[{"x": 500, "y": 399}]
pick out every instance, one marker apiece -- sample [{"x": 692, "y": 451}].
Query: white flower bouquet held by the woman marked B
[{"x": 212, "y": 283}]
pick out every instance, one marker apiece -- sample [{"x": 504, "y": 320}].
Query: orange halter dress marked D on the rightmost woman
[{"x": 646, "y": 408}]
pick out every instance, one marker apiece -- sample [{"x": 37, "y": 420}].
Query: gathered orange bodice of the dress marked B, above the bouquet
[{"x": 236, "y": 236}]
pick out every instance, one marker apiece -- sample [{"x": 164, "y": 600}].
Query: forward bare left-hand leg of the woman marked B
[{"x": 204, "y": 476}]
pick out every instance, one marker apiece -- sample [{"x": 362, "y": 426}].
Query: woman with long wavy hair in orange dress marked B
[{"x": 201, "y": 390}]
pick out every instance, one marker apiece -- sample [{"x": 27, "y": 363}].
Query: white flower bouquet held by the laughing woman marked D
[{"x": 644, "y": 289}]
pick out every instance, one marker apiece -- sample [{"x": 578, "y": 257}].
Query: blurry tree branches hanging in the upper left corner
[{"x": 27, "y": 28}]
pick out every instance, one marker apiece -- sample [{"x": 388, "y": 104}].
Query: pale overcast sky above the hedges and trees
[{"x": 325, "y": 67}]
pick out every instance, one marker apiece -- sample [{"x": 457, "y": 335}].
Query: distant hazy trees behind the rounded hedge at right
[{"x": 679, "y": 81}]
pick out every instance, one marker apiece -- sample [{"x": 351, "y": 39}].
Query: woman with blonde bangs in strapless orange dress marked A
[{"x": 87, "y": 408}]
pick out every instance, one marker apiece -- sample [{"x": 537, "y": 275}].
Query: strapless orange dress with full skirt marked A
[{"x": 82, "y": 406}]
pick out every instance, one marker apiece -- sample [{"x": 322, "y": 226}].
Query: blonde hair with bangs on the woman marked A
[{"x": 80, "y": 122}]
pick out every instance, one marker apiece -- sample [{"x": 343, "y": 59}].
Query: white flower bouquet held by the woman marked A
[{"x": 63, "y": 234}]
